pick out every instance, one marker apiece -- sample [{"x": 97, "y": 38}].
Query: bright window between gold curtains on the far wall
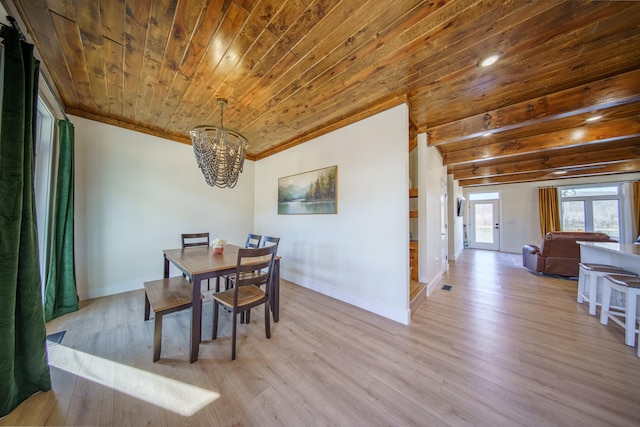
[{"x": 591, "y": 208}]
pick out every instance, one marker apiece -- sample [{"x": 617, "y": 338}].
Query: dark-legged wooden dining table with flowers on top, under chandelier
[{"x": 200, "y": 263}]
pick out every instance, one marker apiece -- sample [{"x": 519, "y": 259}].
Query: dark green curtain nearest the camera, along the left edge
[{"x": 23, "y": 355}]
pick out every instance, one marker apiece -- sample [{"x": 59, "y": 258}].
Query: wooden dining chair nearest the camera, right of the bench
[{"x": 253, "y": 269}]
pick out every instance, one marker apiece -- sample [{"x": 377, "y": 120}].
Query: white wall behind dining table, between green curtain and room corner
[{"x": 134, "y": 195}]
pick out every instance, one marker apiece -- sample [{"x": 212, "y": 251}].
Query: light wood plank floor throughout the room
[{"x": 503, "y": 347}]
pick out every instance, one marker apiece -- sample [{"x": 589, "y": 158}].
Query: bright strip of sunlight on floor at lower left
[{"x": 175, "y": 396}]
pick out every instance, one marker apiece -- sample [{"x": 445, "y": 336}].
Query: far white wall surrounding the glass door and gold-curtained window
[{"x": 519, "y": 217}]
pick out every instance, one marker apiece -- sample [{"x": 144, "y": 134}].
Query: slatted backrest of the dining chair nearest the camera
[{"x": 254, "y": 267}]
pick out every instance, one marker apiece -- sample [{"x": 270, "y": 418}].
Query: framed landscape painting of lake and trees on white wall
[{"x": 313, "y": 192}]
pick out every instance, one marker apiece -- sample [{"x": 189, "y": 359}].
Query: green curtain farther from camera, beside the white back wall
[{"x": 61, "y": 294}]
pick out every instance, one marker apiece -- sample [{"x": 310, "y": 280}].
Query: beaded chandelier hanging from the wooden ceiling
[{"x": 220, "y": 152}]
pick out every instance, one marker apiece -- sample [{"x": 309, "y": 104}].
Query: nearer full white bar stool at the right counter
[{"x": 630, "y": 286}]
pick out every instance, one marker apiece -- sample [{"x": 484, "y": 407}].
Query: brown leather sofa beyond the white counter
[{"x": 559, "y": 253}]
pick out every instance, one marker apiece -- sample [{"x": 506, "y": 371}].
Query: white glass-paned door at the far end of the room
[{"x": 485, "y": 225}]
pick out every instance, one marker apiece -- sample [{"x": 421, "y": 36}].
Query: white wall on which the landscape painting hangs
[{"x": 361, "y": 254}]
